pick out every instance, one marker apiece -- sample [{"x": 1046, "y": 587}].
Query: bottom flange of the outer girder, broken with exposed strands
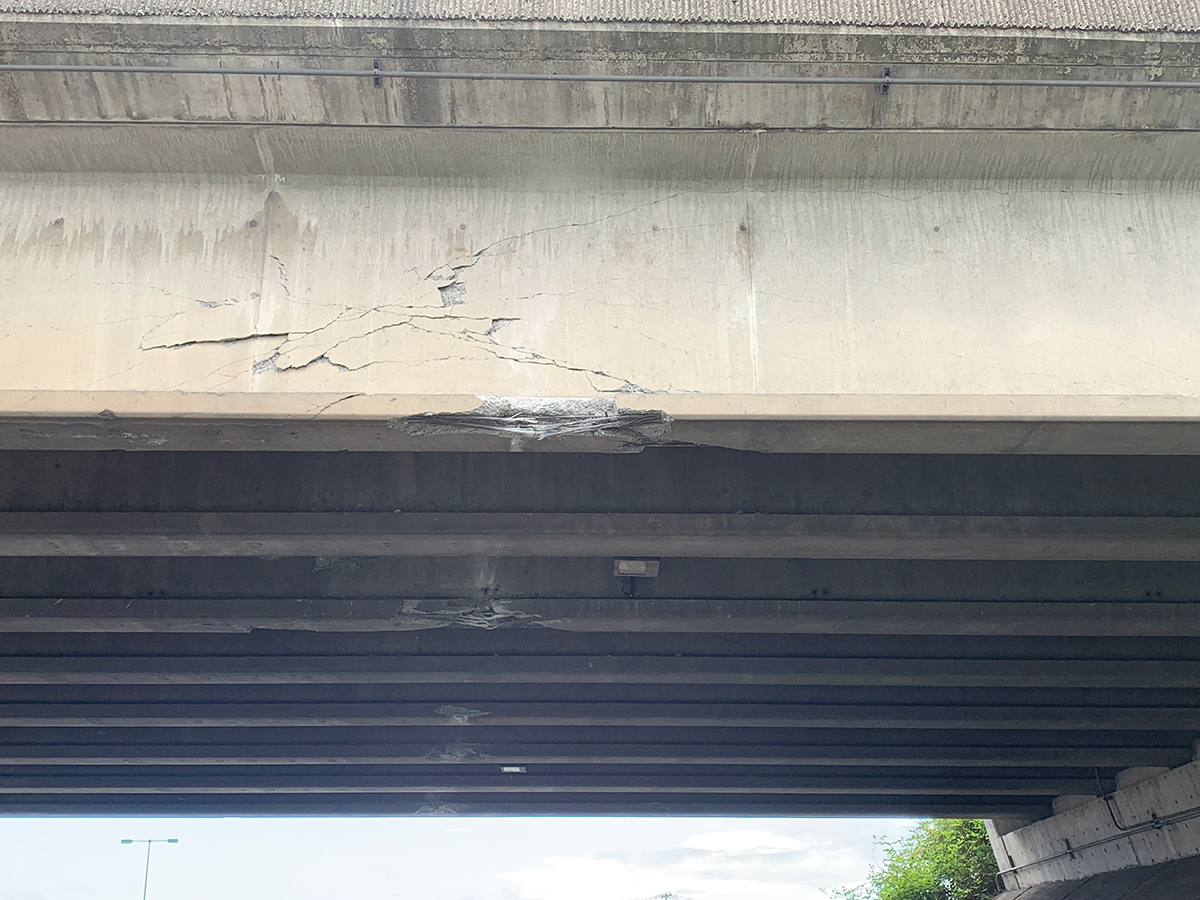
[{"x": 779, "y": 423}]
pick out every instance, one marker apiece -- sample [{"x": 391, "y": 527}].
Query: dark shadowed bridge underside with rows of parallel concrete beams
[{"x": 407, "y": 633}]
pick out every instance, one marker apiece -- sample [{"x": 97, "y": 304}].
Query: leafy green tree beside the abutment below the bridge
[{"x": 941, "y": 860}]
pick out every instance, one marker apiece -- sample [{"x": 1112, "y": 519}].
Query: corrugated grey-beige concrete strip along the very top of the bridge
[{"x": 1087, "y": 15}]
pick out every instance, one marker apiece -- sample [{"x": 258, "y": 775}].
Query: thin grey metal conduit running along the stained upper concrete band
[{"x": 379, "y": 75}]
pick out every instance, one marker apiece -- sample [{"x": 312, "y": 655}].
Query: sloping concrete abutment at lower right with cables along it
[{"x": 1151, "y": 821}]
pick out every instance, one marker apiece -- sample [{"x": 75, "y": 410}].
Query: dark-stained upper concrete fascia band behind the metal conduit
[{"x": 710, "y": 50}]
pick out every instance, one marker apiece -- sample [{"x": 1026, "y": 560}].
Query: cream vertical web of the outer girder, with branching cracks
[{"x": 359, "y": 287}]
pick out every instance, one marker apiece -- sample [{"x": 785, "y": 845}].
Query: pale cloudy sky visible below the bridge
[{"x": 440, "y": 859}]
